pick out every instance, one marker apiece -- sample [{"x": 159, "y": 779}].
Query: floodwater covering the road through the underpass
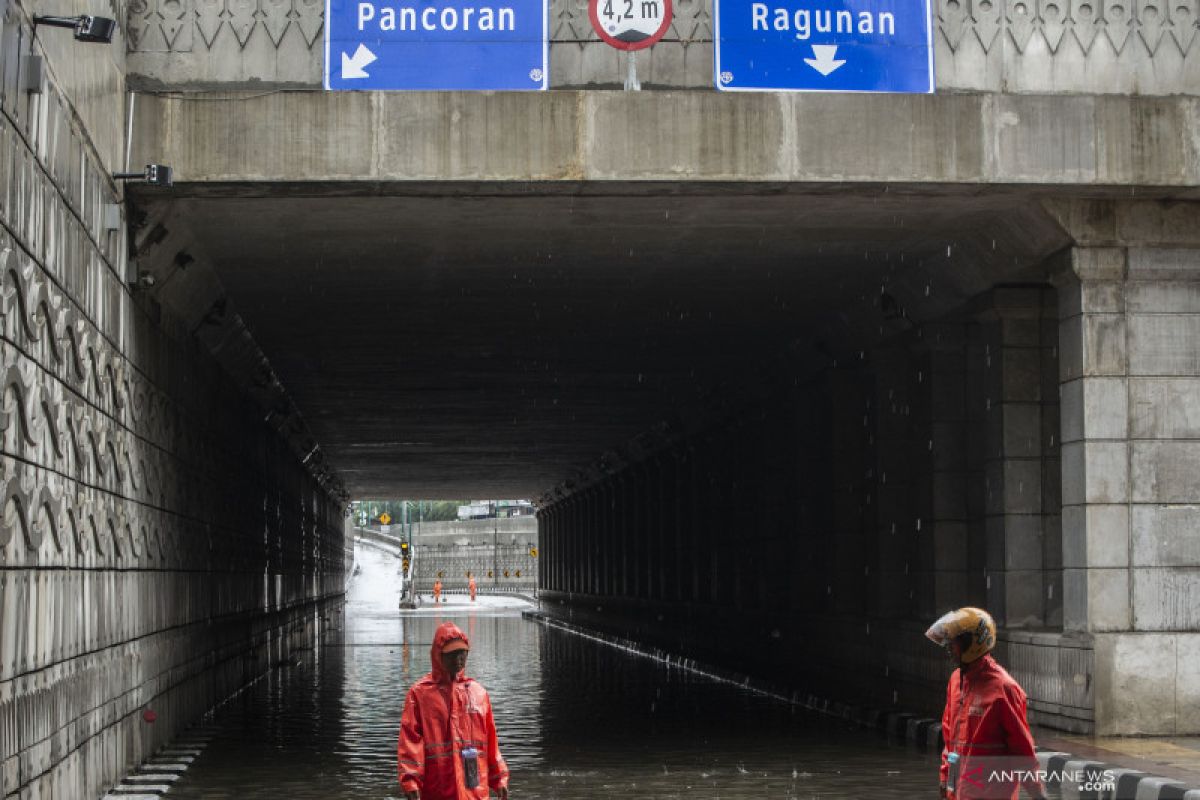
[{"x": 578, "y": 719}]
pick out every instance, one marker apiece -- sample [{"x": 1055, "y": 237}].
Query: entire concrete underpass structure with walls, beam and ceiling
[{"x": 817, "y": 368}]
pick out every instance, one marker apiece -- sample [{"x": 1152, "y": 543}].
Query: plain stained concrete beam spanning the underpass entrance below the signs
[{"x": 673, "y": 136}]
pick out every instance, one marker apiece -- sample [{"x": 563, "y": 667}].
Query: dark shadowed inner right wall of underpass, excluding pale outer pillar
[{"x": 809, "y": 542}]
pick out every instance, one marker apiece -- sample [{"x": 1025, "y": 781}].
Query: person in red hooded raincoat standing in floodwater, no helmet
[{"x": 448, "y": 747}]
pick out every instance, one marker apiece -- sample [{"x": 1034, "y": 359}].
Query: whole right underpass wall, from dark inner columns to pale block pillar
[{"x": 1031, "y": 454}]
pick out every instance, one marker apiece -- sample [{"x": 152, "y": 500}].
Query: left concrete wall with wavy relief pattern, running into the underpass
[{"x": 160, "y": 545}]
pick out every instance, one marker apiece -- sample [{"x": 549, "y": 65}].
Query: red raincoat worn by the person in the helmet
[{"x": 985, "y": 720}]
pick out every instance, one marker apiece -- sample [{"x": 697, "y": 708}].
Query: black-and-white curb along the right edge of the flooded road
[{"x": 923, "y": 732}]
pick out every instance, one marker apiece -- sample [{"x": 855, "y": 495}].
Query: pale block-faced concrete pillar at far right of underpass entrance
[{"x": 1131, "y": 471}]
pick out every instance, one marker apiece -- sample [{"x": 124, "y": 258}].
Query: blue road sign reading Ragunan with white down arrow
[{"x": 824, "y": 46}]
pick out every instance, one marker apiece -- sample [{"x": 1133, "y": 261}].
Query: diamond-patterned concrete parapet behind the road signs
[{"x": 1017, "y": 46}]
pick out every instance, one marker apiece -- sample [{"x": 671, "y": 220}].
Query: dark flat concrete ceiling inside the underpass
[{"x": 487, "y": 341}]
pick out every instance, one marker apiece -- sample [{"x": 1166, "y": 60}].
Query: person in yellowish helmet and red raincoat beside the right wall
[{"x": 989, "y": 749}]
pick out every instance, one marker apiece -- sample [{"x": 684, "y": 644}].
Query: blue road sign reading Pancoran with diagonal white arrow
[{"x": 436, "y": 45}]
